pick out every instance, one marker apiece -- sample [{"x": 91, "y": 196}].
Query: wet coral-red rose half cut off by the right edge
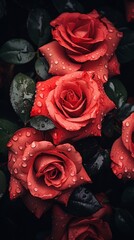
[{"x": 122, "y": 151}]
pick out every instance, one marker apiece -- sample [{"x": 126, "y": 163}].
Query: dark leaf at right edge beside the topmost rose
[{"x": 125, "y": 50}]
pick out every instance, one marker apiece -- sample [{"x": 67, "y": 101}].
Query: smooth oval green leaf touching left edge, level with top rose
[{"x": 17, "y": 51}]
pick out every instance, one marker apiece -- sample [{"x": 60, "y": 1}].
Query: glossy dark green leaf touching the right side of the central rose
[{"x": 116, "y": 91}]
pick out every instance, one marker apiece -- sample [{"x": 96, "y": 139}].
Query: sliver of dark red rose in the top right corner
[{"x": 129, "y": 9}]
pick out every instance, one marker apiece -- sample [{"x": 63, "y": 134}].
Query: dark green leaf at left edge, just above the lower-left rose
[{"x": 7, "y": 129}]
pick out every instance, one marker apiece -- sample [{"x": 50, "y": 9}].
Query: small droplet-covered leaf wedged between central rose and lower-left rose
[{"x": 41, "y": 123}]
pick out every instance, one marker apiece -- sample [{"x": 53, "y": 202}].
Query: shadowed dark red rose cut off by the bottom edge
[{"x": 66, "y": 226}]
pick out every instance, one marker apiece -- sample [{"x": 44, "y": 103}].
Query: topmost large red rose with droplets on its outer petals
[{"x": 82, "y": 42}]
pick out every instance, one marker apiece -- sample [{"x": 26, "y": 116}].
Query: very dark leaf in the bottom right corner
[{"x": 124, "y": 222}]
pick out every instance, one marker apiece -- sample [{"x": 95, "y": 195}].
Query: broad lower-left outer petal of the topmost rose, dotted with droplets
[{"x": 58, "y": 61}]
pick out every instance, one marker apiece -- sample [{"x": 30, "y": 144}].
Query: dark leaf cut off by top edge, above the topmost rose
[{"x": 68, "y": 6}]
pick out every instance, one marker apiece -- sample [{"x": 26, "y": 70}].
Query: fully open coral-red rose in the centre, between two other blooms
[{"x": 76, "y": 103}]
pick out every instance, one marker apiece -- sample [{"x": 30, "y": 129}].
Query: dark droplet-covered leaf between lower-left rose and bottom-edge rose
[{"x": 82, "y": 202}]
